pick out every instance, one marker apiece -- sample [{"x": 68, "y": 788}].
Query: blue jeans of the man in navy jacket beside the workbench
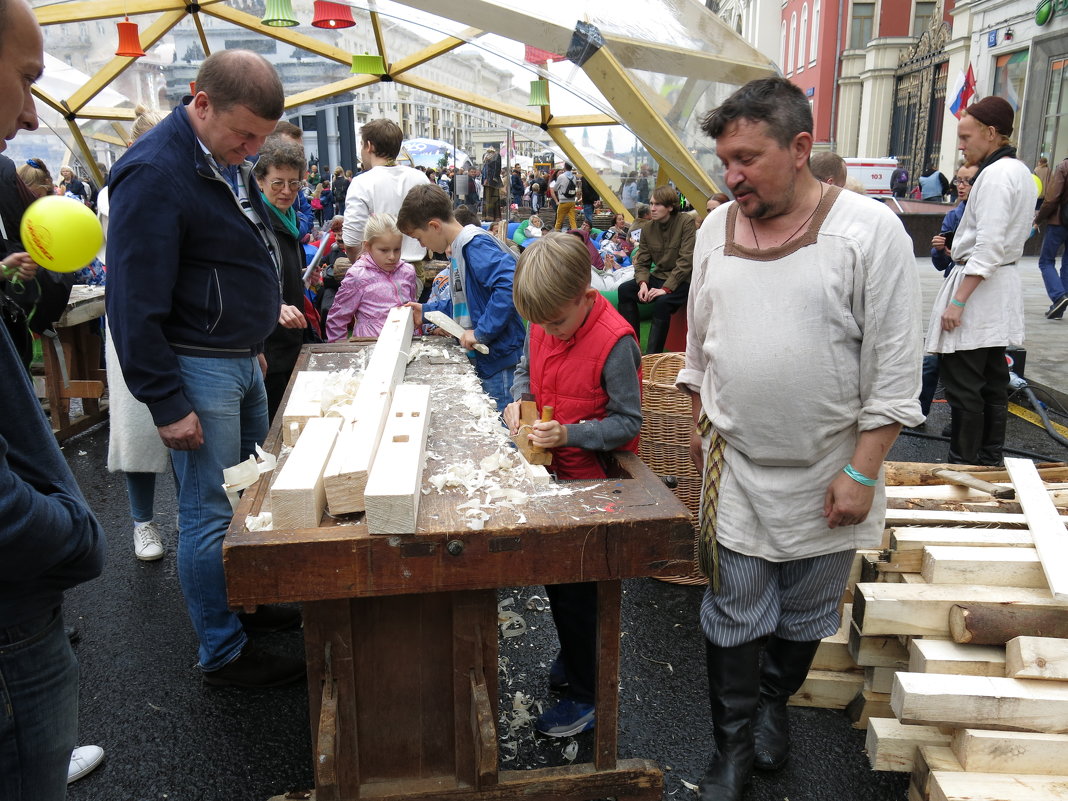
[{"x": 229, "y": 398}]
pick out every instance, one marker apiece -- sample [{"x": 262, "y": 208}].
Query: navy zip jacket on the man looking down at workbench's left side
[{"x": 189, "y": 272}]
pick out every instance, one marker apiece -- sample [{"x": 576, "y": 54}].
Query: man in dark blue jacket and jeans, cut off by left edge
[{"x": 50, "y": 540}]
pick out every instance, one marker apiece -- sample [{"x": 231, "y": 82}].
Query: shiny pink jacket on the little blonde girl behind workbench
[{"x": 367, "y": 295}]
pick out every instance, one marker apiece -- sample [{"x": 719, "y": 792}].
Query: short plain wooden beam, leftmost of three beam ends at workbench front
[{"x": 297, "y": 498}]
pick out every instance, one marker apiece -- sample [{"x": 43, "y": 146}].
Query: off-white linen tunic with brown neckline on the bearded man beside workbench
[{"x": 795, "y": 351}]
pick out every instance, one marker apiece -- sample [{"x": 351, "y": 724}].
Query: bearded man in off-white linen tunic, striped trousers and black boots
[{"x": 804, "y": 355}]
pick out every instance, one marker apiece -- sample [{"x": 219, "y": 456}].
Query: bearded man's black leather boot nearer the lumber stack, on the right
[{"x": 784, "y": 670}]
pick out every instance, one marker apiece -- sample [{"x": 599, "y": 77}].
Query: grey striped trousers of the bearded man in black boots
[{"x": 795, "y": 601}]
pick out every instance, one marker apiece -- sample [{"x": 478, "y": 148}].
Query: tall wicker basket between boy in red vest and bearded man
[{"x": 667, "y": 427}]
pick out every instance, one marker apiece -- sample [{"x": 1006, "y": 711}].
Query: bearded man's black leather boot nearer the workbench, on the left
[{"x": 734, "y": 689}]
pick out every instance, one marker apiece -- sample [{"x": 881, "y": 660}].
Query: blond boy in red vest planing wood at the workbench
[{"x": 582, "y": 358}]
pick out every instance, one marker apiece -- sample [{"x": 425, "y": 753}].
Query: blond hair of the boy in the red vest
[{"x": 552, "y": 273}]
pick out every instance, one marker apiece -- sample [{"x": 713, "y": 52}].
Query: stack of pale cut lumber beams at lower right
[{"x": 962, "y": 627}]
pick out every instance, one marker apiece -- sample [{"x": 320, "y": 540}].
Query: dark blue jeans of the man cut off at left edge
[{"x": 39, "y": 709}]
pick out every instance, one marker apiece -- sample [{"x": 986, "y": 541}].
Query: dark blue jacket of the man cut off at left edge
[{"x": 50, "y": 540}]
